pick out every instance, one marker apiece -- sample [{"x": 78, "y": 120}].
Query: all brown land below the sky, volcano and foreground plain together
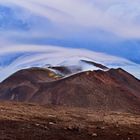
[{"x": 40, "y": 104}]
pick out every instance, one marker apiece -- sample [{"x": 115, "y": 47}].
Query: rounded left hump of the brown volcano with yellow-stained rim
[{"x": 25, "y": 82}]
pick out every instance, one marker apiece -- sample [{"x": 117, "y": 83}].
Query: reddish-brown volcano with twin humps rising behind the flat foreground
[{"x": 114, "y": 89}]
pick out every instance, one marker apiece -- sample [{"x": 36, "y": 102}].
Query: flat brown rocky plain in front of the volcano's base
[{"x": 20, "y": 121}]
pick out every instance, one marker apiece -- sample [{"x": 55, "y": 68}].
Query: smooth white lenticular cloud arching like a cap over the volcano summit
[{"x": 25, "y": 56}]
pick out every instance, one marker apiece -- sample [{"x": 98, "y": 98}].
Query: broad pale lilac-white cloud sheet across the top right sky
[{"x": 116, "y": 16}]
